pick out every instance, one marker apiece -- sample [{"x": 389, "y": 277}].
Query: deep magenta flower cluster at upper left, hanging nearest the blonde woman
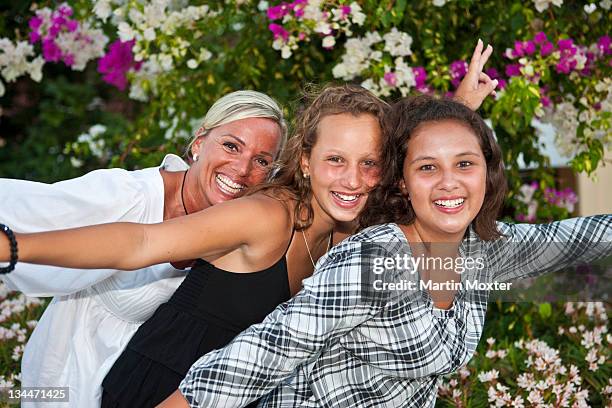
[{"x": 117, "y": 62}]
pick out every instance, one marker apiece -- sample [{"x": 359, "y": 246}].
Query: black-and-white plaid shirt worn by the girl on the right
[{"x": 331, "y": 346}]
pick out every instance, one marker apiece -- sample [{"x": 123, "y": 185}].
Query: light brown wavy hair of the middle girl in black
[{"x": 288, "y": 180}]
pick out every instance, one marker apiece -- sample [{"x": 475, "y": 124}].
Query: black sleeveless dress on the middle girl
[{"x": 206, "y": 312}]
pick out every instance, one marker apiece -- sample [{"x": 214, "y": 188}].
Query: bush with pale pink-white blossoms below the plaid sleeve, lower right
[{"x": 533, "y": 372}]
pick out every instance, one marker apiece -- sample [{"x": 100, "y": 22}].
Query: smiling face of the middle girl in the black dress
[{"x": 344, "y": 164}]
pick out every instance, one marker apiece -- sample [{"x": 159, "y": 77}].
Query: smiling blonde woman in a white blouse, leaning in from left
[{"x": 94, "y": 313}]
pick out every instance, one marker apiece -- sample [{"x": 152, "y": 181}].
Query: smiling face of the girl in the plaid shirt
[{"x": 445, "y": 179}]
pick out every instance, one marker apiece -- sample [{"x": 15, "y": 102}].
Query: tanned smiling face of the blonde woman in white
[{"x": 233, "y": 157}]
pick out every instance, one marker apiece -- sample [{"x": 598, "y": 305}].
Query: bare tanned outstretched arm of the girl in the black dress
[{"x": 211, "y": 233}]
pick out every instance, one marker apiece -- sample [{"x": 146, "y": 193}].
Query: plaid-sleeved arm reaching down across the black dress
[{"x": 257, "y": 360}]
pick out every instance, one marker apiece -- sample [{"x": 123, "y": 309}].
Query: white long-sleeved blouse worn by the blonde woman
[{"x": 94, "y": 312}]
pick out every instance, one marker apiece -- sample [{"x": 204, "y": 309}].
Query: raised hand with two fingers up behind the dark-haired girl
[{"x": 476, "y": 85}]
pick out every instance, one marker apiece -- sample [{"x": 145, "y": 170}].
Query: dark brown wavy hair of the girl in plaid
[{"x": 386, "y": 203}]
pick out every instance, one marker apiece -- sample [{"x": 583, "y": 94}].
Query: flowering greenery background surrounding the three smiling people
[{"x": 121, "y": 83}]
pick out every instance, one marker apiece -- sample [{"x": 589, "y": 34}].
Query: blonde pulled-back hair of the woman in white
[{"x": 240, "y": 105}]
